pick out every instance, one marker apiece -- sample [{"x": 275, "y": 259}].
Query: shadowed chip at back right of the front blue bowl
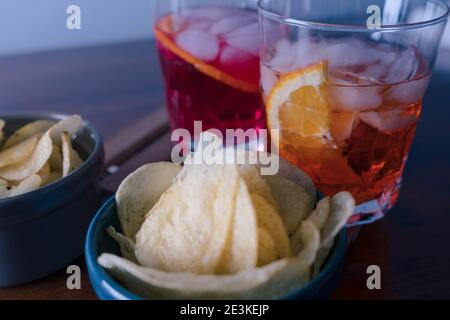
[{"x": 295, "y": 203}]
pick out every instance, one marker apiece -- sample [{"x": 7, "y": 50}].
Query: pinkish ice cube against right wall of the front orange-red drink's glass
[{"x": 409, "y": 92}]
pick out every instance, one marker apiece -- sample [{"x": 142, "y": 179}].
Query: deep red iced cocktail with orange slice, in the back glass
[{"x": 210, "y": 60}]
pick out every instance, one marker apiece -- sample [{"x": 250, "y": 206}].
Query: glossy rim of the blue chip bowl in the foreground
[{"x": 100, "y": 277}]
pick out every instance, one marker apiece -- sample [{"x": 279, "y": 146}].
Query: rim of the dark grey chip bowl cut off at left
[{"x": 97, "y": 137}]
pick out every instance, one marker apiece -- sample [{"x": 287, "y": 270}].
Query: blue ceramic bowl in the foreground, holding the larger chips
[{"x": 107, "y": 288}]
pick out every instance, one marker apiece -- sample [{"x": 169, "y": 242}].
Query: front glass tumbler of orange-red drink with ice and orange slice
[{"x": 344, "y": 83}]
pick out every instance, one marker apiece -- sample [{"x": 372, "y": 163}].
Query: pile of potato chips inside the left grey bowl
[{"x": 37, "y": 154}]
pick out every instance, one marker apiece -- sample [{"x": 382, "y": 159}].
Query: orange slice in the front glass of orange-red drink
[{"x": 298, "y": 107}]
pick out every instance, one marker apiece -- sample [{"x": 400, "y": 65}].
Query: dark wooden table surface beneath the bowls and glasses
[{"x": 115, "y": 86}]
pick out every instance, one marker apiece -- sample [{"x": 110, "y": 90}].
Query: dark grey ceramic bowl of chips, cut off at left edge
[{"x": 43, "y": 231}]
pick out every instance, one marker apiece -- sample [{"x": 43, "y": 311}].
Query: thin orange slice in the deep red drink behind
[{"x": 164, "y": 29}]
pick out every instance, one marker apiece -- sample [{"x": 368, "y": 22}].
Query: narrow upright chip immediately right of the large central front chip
[{"x": 241, "y": 251}]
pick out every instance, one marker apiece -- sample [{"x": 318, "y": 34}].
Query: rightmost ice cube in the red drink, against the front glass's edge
[{"x": 245, "y": 39}]
